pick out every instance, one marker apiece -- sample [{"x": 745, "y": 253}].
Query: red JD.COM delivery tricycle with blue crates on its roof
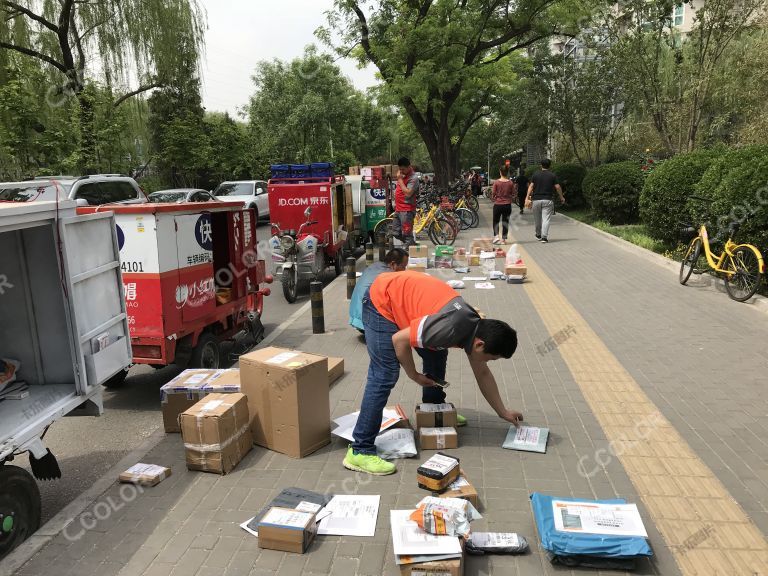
[{"x": 313, "y": 227}]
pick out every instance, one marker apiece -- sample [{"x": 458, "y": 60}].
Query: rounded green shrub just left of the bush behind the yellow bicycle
[{"x": 666, "y": 191}]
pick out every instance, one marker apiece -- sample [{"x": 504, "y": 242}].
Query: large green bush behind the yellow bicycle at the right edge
[{"x": 737, "y": 183}]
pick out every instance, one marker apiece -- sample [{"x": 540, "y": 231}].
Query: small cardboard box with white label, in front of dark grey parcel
[{"x": 287, "y": 530}]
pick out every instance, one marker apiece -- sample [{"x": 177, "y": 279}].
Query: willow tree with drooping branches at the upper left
[{"x": 72, "y": 37}]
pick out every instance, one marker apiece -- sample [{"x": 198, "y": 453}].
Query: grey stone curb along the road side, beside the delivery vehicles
[{"x": 32, "y": 545}]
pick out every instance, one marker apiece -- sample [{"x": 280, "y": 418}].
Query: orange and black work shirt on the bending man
[{"x": 437, "y": 316}]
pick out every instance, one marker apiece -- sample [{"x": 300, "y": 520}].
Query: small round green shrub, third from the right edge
[{"x": 613, "y": 191}]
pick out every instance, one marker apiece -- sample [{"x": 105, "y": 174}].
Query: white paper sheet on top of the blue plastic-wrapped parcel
[{"x": 593, "y": 518}]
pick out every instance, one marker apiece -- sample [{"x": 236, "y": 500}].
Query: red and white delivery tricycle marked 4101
[{"x": 192, "y": 279}]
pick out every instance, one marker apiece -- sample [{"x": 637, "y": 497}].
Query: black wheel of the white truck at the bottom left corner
[{"x": 19, "y": 507}]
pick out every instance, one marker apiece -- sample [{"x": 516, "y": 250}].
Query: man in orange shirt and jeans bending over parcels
[{"x": 411, "y": 310}]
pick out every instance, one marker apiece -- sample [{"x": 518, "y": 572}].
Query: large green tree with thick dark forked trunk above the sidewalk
[{"x": 442, "y": 61}]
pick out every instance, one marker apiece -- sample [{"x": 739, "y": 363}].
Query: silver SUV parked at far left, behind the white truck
[{"x": 85, "y": 190}]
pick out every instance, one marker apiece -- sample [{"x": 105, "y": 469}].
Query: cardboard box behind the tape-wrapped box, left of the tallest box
[{"x": 191, "y": 386}]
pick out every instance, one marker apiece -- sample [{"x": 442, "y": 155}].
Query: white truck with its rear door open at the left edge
[{"x": 63, "y": 332}]
